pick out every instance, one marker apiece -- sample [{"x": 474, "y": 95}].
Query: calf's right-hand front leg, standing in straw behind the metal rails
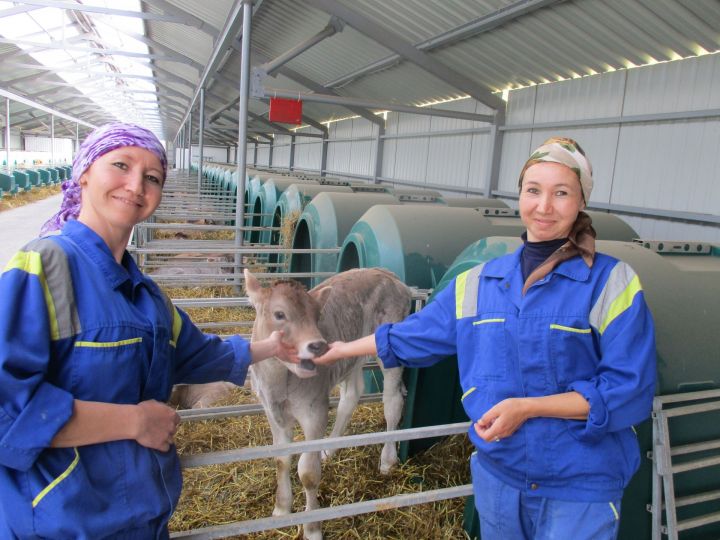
[{"x": 313, "y": 421}]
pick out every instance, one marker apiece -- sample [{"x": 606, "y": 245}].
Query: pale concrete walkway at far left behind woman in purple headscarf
[{"x": 20, "y": 225}]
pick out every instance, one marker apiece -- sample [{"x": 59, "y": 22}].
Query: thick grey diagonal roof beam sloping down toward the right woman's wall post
[{"x": 406, "y": 50}]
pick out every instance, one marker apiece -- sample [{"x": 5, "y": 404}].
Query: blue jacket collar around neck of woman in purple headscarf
[{"x": 92, "y": 245}]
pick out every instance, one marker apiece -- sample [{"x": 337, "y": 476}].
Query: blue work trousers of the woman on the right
[{"x": 507, "y": 513}]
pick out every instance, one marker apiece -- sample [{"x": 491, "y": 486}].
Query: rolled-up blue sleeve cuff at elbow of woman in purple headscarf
[{"x": 36, "y": 426}]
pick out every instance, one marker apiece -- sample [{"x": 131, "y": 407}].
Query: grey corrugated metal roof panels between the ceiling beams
[{"x": 560, "y": 40}]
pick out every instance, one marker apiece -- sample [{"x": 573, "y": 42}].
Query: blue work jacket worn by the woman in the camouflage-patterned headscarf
[{"x": 583, "y": 329}]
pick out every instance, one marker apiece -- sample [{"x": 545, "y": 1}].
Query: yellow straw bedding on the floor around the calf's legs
[{"x": 222, "y": 494}]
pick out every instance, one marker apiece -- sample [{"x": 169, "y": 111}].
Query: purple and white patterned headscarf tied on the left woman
[{"x": 101, "y": 141}]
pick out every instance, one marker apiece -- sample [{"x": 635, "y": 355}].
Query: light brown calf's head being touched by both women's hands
[{"x": 287, "y": 306}]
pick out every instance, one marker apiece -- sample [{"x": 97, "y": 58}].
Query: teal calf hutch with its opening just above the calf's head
[{"x": 324, "y": 224}]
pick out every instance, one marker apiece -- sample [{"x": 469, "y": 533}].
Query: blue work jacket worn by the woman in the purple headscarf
[{"x": 74, "y": 324}]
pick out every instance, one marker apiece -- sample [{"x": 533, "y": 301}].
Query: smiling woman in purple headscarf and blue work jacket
[{"x": 90, "y": 349}]
